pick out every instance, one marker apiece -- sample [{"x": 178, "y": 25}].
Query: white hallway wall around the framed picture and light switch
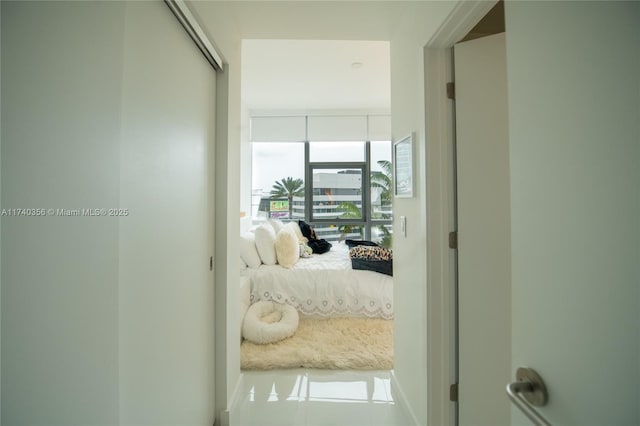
[{"x": 410, "y": 252}]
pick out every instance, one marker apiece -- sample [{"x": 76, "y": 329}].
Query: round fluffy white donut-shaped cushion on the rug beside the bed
[{"x": 268, "y": 322}]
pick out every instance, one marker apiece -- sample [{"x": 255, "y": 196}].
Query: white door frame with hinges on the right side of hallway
[{"x": 440, "y": 207}]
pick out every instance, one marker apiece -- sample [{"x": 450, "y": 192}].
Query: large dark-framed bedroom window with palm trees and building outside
[{"x": 342, "y": 188}]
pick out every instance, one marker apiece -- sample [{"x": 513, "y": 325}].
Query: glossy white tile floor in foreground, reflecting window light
[{"x": 307, "y": 397}]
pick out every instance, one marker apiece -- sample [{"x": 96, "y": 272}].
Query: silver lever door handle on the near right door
[{"x": 529, "y": 390}]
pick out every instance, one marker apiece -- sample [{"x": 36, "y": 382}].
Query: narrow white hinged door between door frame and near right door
[{"x": 484, "y": 290}]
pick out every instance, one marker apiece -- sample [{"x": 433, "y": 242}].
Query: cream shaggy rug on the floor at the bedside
[{"x": 333, "y": 343}]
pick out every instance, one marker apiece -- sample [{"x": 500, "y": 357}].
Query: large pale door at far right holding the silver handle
[{"x": 574, "y": 94}]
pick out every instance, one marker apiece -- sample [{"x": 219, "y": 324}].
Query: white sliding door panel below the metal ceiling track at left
[{"x": 166, "y": 291}]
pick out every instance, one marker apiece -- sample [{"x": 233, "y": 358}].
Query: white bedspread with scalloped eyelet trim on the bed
[{"x": 325, "y": 285}]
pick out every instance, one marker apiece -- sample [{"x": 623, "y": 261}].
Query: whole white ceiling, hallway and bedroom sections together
[{"x": 297, "y": 55}]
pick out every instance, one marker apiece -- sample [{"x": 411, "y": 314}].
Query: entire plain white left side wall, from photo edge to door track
[{"x": 106, "y": 321}]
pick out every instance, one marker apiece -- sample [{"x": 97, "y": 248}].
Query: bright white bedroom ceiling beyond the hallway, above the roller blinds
[{"x": 316, "y": 75}]
